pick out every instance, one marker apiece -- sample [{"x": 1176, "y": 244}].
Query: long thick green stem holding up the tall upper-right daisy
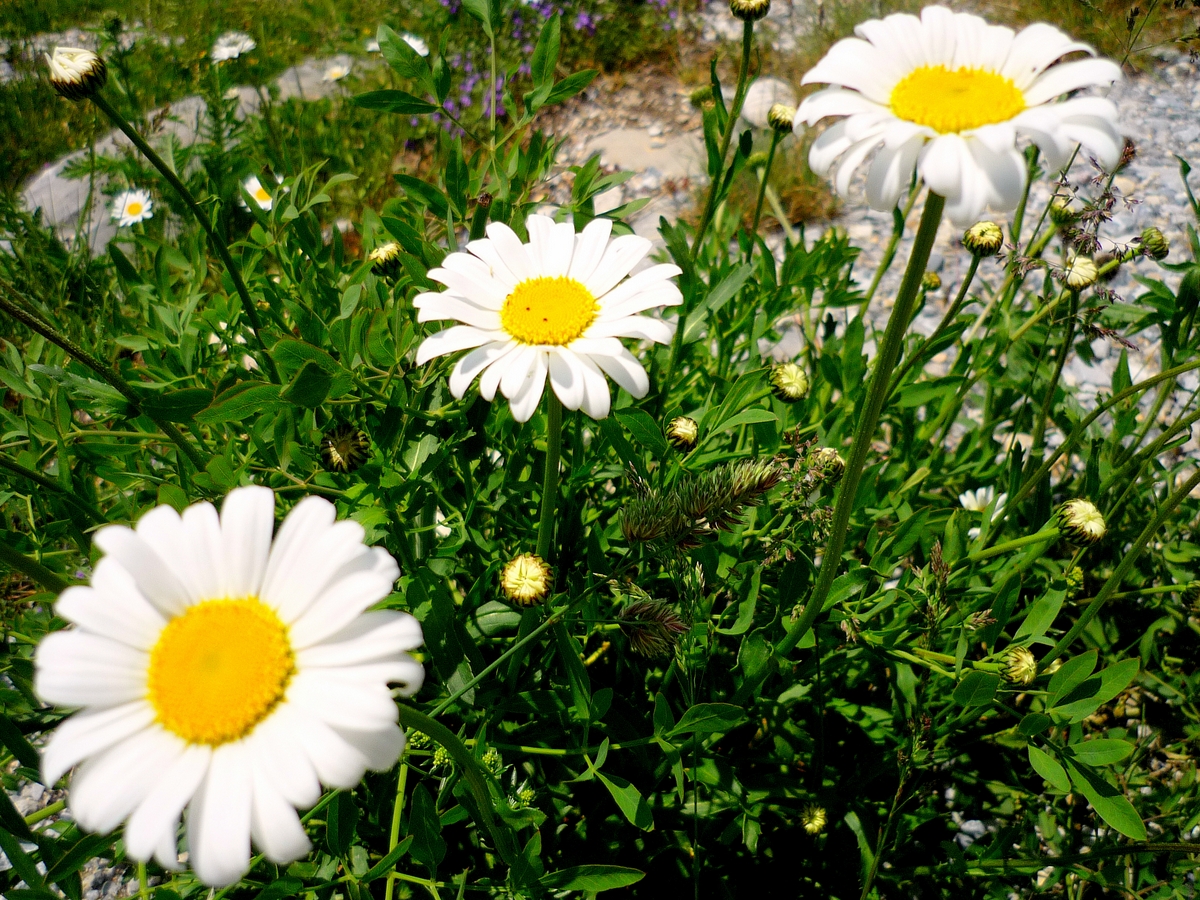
[{"x": 877, "y": 395}]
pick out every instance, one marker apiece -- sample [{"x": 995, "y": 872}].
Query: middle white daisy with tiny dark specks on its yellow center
[{"x": 555, "y": 305}]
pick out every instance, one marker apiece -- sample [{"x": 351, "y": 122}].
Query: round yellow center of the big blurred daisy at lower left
[{"x": 219, "y": 670}]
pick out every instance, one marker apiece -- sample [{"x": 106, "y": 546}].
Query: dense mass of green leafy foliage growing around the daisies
[{"x": 550, "y": 753}]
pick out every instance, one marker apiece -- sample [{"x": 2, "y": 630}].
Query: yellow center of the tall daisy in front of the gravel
[{"x": 952, "y": 101}]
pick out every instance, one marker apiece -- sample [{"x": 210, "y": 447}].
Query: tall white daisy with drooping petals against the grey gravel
[{"x": 949, "y": 94}]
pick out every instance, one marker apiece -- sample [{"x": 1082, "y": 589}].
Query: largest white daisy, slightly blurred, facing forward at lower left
[{"x": 227, "y": 674}]
